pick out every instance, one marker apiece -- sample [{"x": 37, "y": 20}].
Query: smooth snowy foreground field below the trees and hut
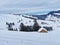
[{"x": 29, "y": 38}]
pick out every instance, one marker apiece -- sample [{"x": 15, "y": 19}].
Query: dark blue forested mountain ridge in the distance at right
[{"x": 52, "y": 13}]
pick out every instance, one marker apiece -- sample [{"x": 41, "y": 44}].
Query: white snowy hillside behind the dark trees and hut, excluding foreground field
[{"x": 27, "y": 20}]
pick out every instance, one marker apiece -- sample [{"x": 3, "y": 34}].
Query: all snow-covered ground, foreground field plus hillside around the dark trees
[{"x": 28, "y": 38}]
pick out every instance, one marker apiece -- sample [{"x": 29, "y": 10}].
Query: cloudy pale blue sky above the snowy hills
[{"x": 29, "y": 6}]
